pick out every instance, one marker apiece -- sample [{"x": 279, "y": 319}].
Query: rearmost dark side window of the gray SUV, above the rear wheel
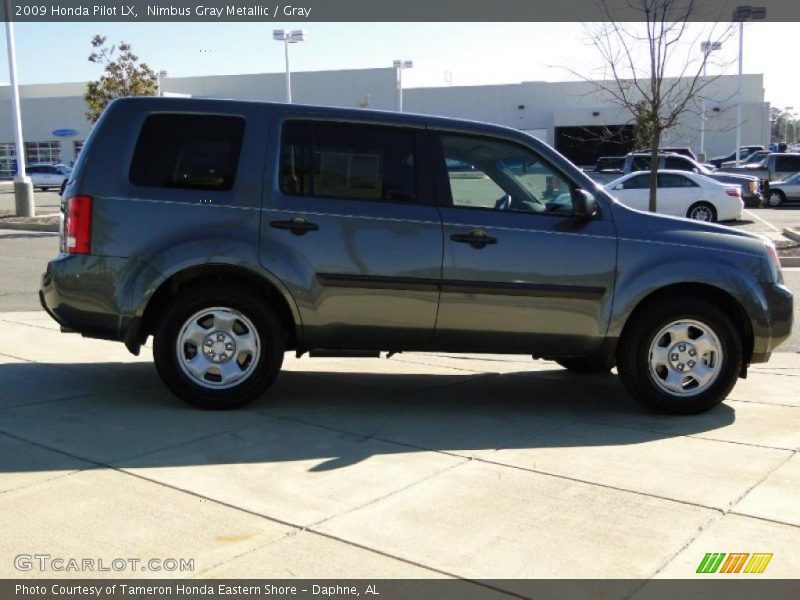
[{"x": 188, "y": 151}]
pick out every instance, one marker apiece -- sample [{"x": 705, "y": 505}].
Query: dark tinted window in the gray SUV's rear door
[{"x": 343, "y": 160}]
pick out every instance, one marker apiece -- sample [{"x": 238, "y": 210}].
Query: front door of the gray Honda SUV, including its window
[{"x": 520, "y": 272}]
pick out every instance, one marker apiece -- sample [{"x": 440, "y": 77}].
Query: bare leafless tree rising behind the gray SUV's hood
[{"x": 636, "y": 55}]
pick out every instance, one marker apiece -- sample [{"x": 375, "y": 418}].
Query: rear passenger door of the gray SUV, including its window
[{"x": 351, "y": 228}]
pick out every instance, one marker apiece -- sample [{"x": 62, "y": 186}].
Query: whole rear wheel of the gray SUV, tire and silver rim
[{"x": 232, "y": 348}]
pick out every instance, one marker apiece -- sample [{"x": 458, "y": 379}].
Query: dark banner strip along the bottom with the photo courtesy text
[{"x": 743, "y": 587}]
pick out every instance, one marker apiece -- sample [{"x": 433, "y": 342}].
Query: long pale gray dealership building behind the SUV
[{"x": 571, "y": 116}]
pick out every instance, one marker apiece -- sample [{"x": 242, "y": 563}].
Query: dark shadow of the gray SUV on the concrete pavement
[{"x": 120, "y": 414}]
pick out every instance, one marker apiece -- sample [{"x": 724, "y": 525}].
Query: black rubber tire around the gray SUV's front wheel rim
[{"x": 634, "y": 367}]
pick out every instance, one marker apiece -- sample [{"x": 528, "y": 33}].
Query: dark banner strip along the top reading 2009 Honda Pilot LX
[{"x": 371, "y": 10}]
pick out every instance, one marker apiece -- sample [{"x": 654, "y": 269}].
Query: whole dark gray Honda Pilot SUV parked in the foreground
[{"x": 234, "y": 231}]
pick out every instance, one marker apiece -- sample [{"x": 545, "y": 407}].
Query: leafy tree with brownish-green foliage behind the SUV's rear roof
[{"x": 123, "y": 75}]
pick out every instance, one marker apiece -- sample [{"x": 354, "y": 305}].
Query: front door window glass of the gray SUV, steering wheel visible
[{"x": 494, "y": 174}]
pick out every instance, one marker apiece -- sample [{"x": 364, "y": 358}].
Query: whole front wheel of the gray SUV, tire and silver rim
[{"x": 663, "y": 339}]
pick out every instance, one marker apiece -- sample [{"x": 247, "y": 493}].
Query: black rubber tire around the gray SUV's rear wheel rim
[{"x": 263, "y": 318}]
